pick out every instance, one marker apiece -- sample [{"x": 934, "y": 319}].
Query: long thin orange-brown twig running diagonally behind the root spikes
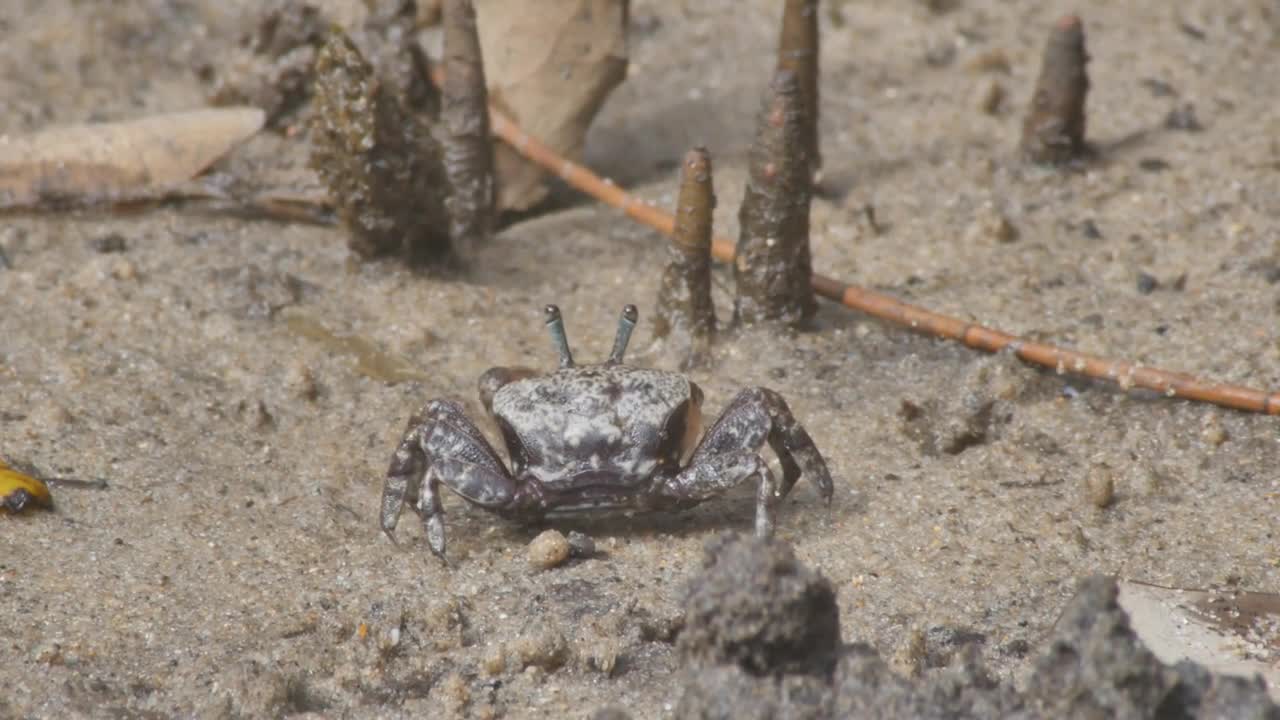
[{"x": 1126, "y": 375}]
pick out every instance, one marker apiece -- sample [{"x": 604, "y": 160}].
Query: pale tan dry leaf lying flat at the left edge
[{"x": 95, "y": 163}]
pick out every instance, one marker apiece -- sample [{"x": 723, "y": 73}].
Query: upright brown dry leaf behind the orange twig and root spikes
[{"x": 550, "y": 66}]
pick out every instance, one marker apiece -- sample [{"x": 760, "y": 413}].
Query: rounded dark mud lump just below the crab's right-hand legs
[{"x": 758, "y": 609}]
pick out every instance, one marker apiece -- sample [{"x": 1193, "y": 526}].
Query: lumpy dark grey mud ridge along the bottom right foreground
[{"x": 762, "y": 641}]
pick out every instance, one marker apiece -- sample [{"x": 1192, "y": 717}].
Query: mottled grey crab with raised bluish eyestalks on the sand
[{"x": 602, "y": 438}]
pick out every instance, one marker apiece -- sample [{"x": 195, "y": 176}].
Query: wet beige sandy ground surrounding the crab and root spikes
[{"x": 241, "y": 385}]
